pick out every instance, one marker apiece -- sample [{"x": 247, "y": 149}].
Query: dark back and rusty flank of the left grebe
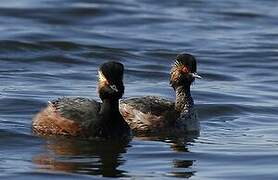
[{"x": 67, "y": 116}]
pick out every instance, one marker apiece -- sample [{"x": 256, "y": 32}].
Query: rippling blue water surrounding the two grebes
[{"x": 52, "y": 48}]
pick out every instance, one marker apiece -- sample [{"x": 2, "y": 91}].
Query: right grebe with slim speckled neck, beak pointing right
[{"x": 151, "y": 114}]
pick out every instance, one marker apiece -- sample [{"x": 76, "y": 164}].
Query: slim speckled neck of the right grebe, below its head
[{"x": 183, "y": 98}]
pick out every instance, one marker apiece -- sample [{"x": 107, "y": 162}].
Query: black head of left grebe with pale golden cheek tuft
[{"x": 111, "y": 80}]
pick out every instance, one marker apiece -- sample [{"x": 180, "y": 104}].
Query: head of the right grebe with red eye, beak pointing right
[{"x": 183, "y": 72}]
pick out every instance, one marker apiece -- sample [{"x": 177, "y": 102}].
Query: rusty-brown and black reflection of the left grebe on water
[{"x": 83, "y": 157}]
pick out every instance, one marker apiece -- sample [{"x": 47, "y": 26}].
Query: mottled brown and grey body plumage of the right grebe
[{"x": 146, "y": 113}]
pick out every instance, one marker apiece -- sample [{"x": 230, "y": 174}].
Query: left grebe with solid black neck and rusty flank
[{"x": 85, "y": 117}]
